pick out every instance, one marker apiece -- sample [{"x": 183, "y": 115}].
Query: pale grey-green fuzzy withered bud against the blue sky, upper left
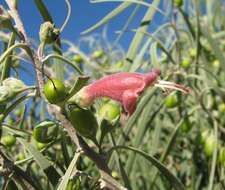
[{"x": 48, "y": 33}]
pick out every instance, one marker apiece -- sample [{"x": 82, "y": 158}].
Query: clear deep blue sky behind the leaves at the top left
[{"x": 84, "y": 15}]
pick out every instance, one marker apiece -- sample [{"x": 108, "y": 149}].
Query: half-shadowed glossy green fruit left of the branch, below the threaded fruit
[{"x": 45, "y": 131}]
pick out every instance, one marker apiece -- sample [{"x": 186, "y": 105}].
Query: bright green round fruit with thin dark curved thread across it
[{"x": 55, "y": 91}]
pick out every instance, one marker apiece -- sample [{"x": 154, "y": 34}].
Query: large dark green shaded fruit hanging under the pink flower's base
[{"x": 84, "y": 122}]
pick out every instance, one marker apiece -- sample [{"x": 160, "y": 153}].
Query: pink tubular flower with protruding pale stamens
[{"x": 124, "y": 88}]
